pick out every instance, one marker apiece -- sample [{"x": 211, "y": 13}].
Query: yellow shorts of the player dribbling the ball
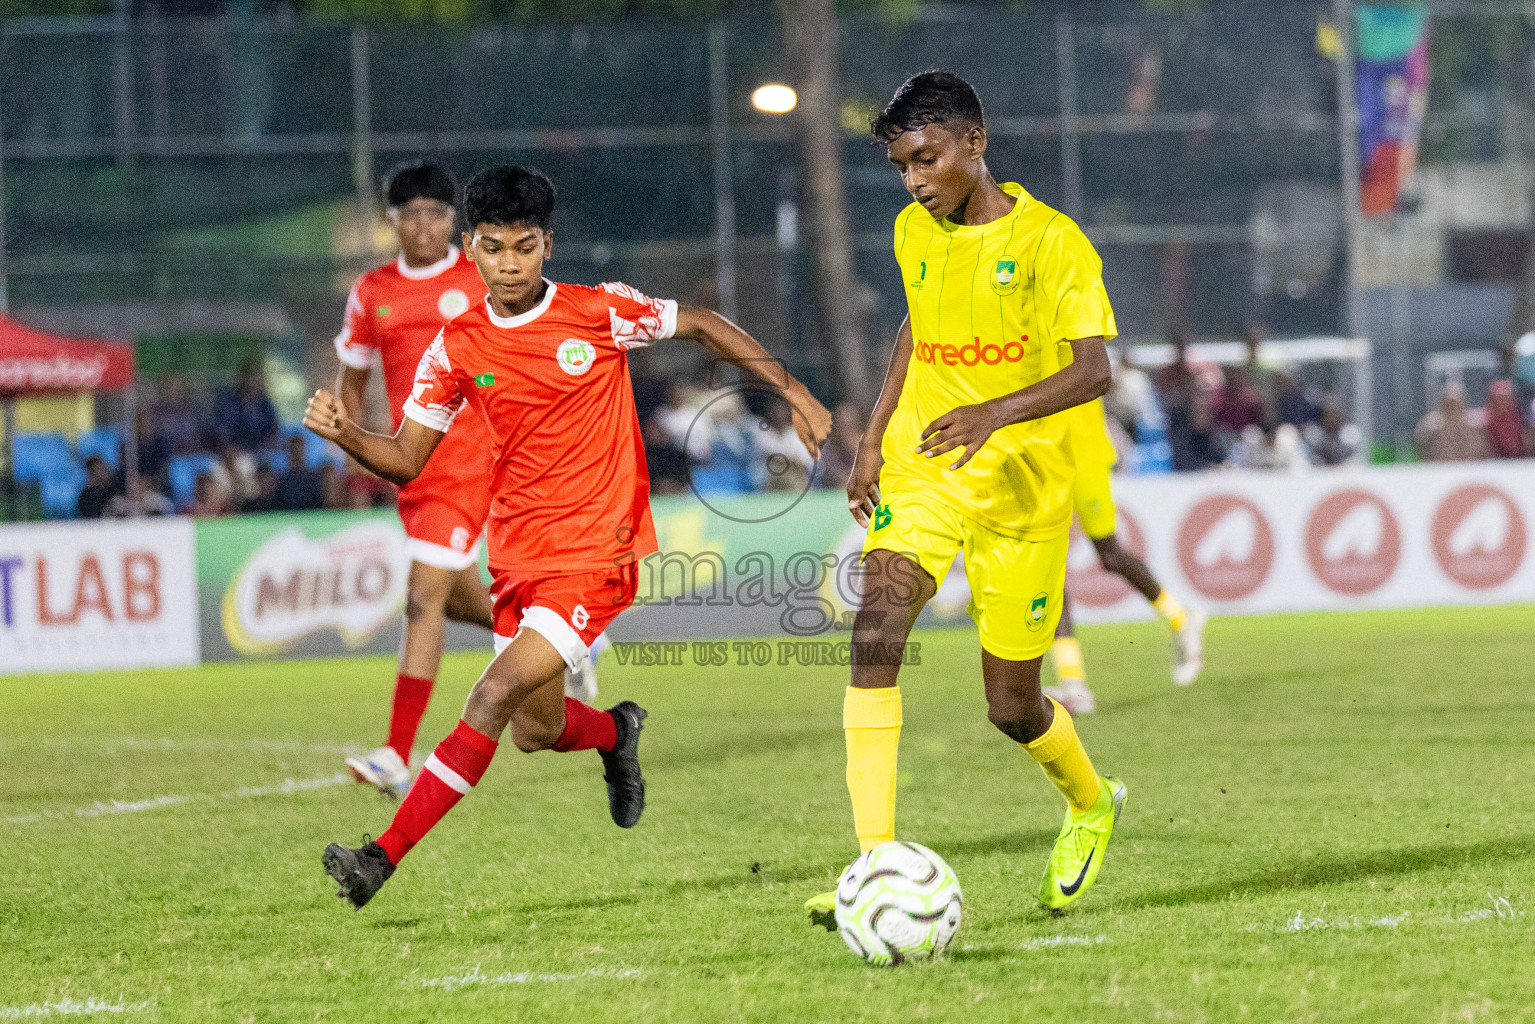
[{"x": 1015, "y": 586}]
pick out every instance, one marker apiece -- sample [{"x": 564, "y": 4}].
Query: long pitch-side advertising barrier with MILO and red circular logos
[{"x": 777, "y": 570}]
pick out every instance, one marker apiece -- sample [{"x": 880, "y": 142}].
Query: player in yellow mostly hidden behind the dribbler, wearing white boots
[{"x": 1094, "y": 498}]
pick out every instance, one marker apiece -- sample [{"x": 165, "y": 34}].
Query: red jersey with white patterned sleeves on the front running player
[{"x": 570, "y": 492}]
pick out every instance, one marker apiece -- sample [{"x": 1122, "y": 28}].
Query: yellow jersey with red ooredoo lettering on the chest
[{"x": 992, "y": 309}]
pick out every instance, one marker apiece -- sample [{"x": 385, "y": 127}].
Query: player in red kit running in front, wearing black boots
[{"x": 544, "y": 366}]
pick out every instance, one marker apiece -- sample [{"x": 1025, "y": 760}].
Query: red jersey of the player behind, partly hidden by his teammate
[{"x": 392, "y": 315}]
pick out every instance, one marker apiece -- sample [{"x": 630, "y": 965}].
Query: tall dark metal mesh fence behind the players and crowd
[{"x": 160, "y": 164}]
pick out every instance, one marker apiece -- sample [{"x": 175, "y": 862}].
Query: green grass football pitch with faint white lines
[{"x": 1335, "y": 825}]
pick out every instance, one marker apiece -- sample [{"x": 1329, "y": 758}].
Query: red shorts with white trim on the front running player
[{"x": 567, "y": 610}]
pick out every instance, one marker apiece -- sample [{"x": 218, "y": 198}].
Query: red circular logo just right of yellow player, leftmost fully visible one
[{"x": 1226, "y": 547}]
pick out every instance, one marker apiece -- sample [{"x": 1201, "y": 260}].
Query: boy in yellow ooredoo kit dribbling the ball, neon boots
[{"x": 966, "y": 451}]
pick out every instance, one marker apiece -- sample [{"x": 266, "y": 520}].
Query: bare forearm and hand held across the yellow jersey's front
[{"x": 971, "y": 426}]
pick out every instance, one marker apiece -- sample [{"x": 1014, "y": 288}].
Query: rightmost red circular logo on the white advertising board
[{"x": 1479, "y": 537}]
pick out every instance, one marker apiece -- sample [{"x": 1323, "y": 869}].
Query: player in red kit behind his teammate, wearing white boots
[{"x": 392, "y": 315}]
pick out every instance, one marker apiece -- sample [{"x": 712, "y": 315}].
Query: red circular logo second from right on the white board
[{"x": 1353, "y": 543}]
